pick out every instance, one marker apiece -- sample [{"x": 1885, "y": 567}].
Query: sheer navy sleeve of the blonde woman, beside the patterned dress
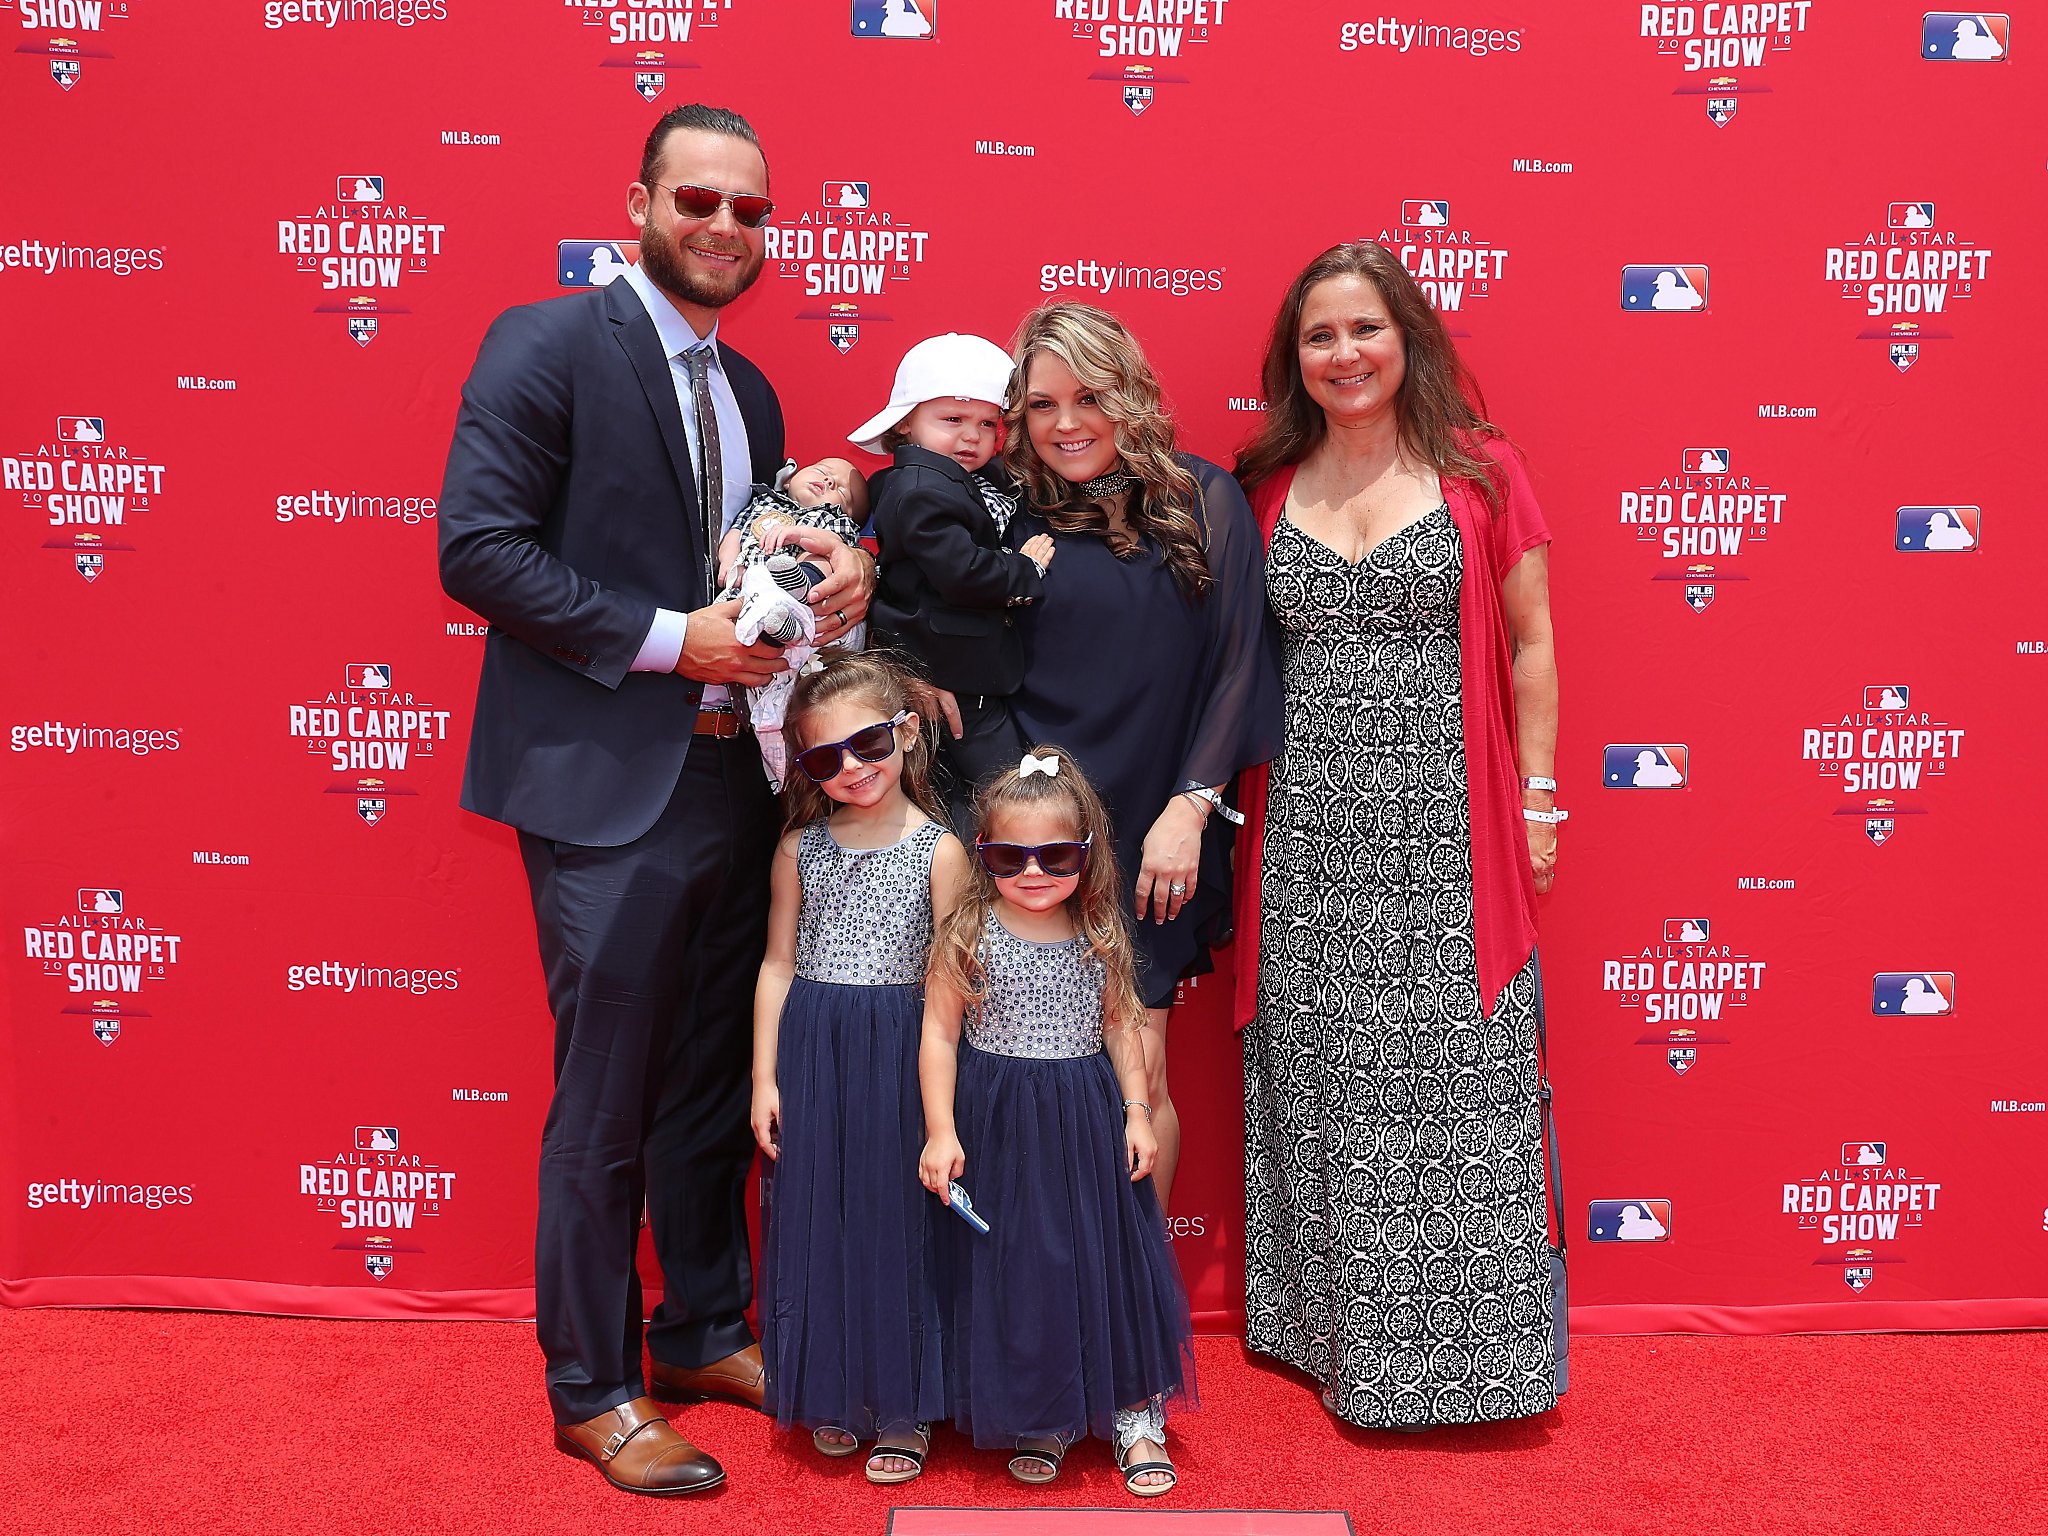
[{"x": 1238, "y": 722}]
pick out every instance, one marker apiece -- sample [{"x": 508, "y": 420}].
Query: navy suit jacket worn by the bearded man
[{"x": 570, "y": 513}]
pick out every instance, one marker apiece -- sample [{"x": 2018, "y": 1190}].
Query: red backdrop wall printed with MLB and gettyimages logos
[{"x": 1758, "y": 288}]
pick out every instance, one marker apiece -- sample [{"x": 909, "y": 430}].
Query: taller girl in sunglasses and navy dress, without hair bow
[{"x": 851, "y": 1322}]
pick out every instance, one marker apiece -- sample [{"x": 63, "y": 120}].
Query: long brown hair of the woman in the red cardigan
[{"x": 1441, "y": 411}]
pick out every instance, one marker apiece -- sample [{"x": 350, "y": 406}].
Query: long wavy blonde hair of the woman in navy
[{"x": 1111, "y": 366}]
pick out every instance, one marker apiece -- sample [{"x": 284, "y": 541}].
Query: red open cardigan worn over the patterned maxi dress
[{"x": 1504, "y": 892}]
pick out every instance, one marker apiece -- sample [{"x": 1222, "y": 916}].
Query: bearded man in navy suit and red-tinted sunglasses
[{"x": 603, "y": 445}]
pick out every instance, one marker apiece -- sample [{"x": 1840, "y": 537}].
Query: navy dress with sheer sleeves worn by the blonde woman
[{"x": 1152, "y": 689}]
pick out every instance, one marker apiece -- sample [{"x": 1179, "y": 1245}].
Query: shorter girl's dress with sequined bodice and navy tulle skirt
[{"x": 1072, "y": 1306}]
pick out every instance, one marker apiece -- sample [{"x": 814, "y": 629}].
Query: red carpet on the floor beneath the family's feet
[{"x": 179, "y": 1422}]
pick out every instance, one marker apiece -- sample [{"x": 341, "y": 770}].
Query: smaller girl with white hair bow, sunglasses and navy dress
[{"x": 1066, "y": 1316}]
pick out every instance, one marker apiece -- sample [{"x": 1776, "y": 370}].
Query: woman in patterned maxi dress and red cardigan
[{"x": 1396, "y": 1218}]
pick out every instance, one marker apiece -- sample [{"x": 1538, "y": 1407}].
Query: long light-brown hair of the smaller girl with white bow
[{"x": 1093, "y": 906}]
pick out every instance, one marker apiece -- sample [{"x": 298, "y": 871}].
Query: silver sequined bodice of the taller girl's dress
[{"x": 867, "y": 912}]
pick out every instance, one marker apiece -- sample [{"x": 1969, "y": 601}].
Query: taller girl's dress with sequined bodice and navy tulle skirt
[{"x": 849, "y": 1302}]
